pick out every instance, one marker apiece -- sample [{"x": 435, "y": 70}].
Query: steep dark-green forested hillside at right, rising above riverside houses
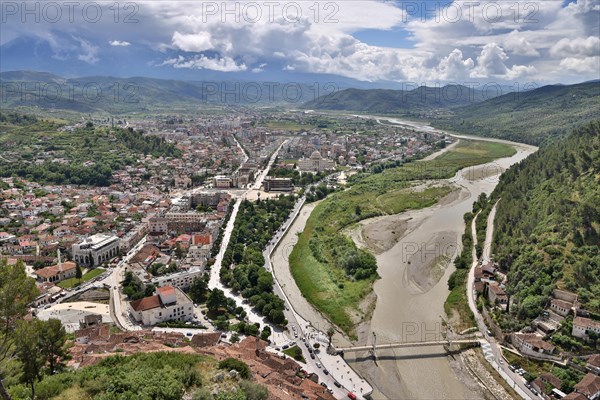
[{"x": 547, "y": 226}]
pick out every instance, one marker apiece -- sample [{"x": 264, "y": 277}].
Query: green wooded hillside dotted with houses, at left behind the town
[{"x": 45, "y": 151}]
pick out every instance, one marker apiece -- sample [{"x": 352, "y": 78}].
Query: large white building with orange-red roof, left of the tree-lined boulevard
[{"x": 167, "y": 304}]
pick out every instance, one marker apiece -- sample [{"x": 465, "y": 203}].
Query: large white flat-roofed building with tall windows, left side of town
[{"x": 95, "y": 250}]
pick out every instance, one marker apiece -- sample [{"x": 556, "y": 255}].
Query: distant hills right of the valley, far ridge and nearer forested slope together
[{"x": 527, "y": 116}]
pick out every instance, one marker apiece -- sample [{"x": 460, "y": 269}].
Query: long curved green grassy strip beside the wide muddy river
[{"x": 328, "y": 288}]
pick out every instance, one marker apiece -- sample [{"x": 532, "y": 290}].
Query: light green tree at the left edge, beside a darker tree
[{"x": 17, "y": 290}]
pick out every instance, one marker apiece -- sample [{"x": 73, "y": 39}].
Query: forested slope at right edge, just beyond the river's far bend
[{"x": 529, "y": 117}]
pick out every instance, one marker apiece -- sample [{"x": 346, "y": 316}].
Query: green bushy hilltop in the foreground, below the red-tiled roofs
[{"x": 145, "y": 376}]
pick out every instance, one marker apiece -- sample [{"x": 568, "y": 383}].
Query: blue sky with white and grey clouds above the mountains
[{"x": 425, "y": 42}]
